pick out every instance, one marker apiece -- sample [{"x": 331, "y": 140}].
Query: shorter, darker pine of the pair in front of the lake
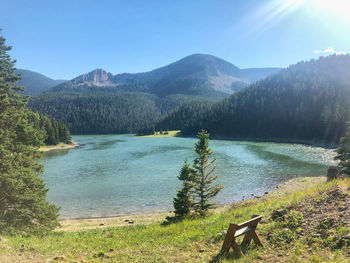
[{"x": 182, "y": 202}]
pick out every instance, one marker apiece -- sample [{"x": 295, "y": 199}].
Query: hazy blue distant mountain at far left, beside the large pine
[{"x": 35, "y": 83}]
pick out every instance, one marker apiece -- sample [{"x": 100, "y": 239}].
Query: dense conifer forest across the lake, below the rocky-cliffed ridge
[{"x": 88, "y": 110}]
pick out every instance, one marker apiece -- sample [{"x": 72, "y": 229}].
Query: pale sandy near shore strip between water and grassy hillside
[{"x": 290, "y": 186}]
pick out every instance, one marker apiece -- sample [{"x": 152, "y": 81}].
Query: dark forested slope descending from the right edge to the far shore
[{"x": 307, "y": 102}]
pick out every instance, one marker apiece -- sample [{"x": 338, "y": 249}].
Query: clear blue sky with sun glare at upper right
[{"x": 64, "y": 39}]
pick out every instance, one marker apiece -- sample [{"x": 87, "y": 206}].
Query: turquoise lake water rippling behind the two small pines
[{"x": 122, "y": 174}]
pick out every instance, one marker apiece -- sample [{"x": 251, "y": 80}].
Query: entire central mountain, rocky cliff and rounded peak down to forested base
[{"x": 100, "y": 102}]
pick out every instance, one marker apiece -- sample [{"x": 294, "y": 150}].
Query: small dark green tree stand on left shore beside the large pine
[{"x": 56, "y": 131}]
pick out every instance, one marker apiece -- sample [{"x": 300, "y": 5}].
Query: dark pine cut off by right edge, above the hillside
[{"x": 343, "y": 152}]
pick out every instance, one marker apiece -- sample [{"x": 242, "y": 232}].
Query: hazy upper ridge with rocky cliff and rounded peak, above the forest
[{"x": 198, "y": 74}]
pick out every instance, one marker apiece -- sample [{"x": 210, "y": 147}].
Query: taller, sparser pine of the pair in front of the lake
[{"x": 204, "y": 190}]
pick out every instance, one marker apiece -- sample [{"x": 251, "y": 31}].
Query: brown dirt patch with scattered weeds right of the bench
[{"x": 321, "y": 221}]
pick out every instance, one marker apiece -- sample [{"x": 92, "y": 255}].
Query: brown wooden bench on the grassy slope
[{"x": 247, "y": 229}]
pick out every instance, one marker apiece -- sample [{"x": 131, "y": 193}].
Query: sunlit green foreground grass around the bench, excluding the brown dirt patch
[{"x": 188, "y": 241}]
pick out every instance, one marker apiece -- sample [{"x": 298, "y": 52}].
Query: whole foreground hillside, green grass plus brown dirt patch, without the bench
[{"x": 314, "y": 228}]
